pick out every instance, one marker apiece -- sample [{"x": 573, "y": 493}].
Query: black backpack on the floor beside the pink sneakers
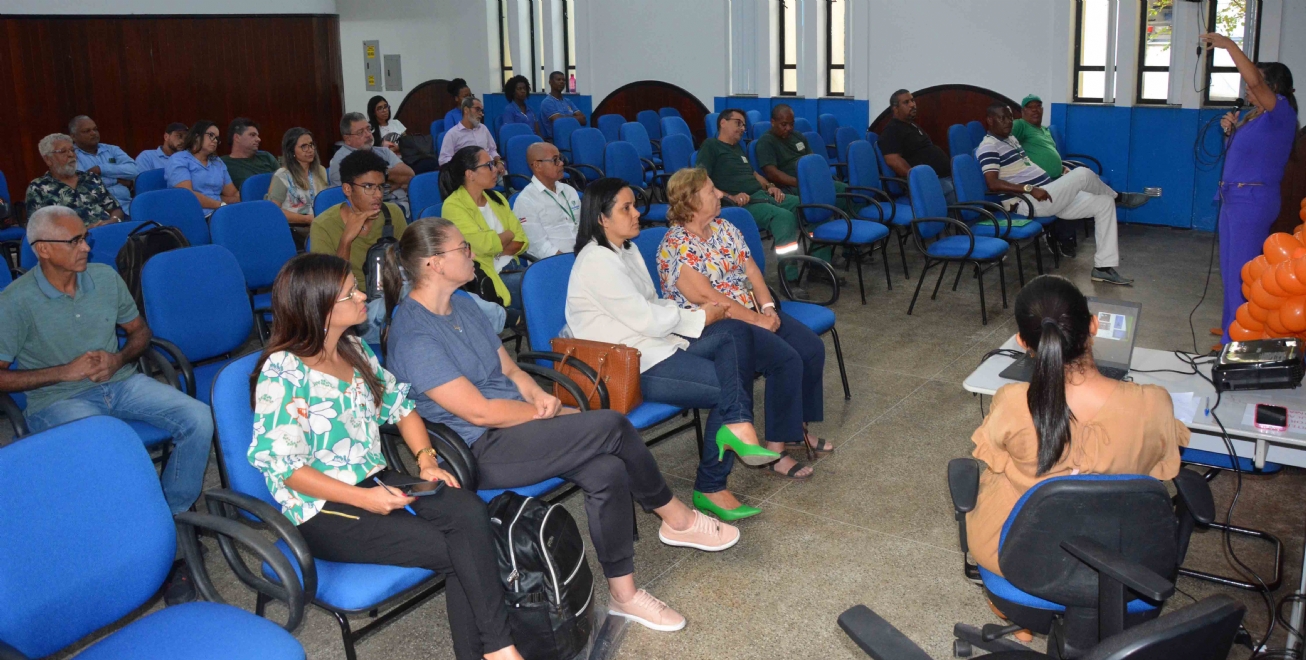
[{"x": 547, "y": 578}]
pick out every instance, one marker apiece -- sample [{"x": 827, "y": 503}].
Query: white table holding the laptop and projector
[{"x": 1284, "y": 448}]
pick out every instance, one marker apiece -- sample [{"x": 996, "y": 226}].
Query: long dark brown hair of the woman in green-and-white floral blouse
[{"x": 304, "y": 296}]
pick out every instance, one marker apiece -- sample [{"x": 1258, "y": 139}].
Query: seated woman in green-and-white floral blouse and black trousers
[{"x": 319, "y": 398}]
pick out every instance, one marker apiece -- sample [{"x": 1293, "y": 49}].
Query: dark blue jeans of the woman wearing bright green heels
[{"x": 715, "y": 374}]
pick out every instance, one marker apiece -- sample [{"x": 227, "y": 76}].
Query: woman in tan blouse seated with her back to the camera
[{"x": 1069, "y": 420}]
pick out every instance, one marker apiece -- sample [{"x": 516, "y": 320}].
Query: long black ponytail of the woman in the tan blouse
[{"x": 1053, "y": 321}]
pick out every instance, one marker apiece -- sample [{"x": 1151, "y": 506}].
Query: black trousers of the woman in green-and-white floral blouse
[{"x": 450, "y": 535}]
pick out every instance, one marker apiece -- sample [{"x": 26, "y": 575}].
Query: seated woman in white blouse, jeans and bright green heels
[{"x": 692, "y": 359}]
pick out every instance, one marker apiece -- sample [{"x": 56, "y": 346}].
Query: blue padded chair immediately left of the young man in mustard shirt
[{"x": 258, "y": 236}]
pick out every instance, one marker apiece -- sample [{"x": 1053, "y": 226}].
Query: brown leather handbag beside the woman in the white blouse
[{"x": 617, "y": 365}]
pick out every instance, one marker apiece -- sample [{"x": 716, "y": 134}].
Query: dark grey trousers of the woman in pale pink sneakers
[{"x": 599, "y": 452}]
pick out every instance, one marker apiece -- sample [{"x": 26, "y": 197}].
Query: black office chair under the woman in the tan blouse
[{"x": 1083, "y": 557}]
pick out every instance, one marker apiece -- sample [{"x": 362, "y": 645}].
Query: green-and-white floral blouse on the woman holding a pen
[{"x": 306, "y": 418}]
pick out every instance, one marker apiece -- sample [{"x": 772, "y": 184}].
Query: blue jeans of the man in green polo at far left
[{"x": 147, "y": 401}]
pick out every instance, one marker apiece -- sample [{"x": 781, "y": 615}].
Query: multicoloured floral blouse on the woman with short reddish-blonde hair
[{"x": 722, "y": 259}]
